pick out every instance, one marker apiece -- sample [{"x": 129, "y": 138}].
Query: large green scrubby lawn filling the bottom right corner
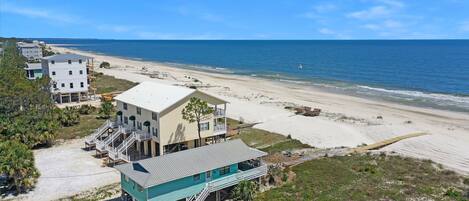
[{"x": 362, "y": 177}]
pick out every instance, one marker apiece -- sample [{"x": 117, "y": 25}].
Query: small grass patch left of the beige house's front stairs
[{"x": 88, "y": 123}]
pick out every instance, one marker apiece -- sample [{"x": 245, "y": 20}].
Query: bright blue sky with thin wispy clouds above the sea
[{"x": 236, "y": 19}]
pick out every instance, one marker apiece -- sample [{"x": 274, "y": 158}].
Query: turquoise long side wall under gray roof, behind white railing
[{"x": 184, "y": 187}]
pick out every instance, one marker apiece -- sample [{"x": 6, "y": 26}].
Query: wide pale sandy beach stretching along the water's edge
[{"x": 345, "y": 120}]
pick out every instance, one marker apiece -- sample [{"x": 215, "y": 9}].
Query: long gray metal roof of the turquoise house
[{"x": 169, "y": 167}]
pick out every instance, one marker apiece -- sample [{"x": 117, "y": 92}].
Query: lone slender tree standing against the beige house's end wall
[{"x": 195, "y": 111}]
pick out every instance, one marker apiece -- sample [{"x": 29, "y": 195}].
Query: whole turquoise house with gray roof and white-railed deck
[{"x": 207, "y": 172}]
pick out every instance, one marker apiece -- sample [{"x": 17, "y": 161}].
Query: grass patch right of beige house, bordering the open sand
[{"x": 267, "y": 141}]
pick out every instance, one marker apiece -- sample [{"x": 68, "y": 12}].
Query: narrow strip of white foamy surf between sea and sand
[{"x": 403, "y": 97}]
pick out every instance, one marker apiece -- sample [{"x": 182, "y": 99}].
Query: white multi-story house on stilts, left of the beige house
[{"x": 69, "y": 76}]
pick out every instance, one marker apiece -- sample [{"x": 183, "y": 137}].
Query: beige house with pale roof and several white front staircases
[{"x": 149, "y": 123}]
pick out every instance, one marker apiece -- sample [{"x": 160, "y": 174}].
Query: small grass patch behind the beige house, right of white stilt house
[{"x": 106, "y": 84}]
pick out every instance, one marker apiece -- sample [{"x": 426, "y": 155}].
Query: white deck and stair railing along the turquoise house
[{"x": 221, "y": 183}]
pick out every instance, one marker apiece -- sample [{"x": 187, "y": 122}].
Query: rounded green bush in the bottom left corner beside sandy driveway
[{"x": 17, "y": 163}]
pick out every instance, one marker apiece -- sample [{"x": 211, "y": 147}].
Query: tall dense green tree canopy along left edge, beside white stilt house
[{"x": 26, "y": 108}]
